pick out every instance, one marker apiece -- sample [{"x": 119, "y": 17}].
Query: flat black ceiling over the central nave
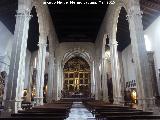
[{"x": 77, "y": 23}]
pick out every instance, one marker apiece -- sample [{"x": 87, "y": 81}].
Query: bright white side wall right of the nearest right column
[{"x": 152, "y": 33}]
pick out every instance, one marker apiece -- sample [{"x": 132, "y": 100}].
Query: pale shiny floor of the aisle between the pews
[{"x": 79, "y": 112}]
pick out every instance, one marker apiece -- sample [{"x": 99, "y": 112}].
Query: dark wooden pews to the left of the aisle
[{"x": 57, "y": 110}]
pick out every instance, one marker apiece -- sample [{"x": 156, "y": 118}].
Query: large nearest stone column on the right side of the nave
[{"x": 143, "y": 78}]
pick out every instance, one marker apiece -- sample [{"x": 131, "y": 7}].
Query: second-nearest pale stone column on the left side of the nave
[{"x": 40, "y": 69}]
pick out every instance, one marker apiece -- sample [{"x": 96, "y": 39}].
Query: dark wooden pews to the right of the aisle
[{"x": 106, "y": 111}]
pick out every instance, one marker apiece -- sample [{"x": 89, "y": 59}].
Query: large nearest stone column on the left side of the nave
[{"x": 16, "y": 77}]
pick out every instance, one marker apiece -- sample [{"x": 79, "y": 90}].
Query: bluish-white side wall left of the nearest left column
[{"x": 6, "y": 38}]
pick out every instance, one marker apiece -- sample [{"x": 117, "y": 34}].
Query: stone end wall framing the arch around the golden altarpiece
[{"x": 70, "y": 47}]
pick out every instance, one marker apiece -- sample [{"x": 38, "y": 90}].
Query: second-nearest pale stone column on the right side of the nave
[{"x": 115, "y": 71}]
